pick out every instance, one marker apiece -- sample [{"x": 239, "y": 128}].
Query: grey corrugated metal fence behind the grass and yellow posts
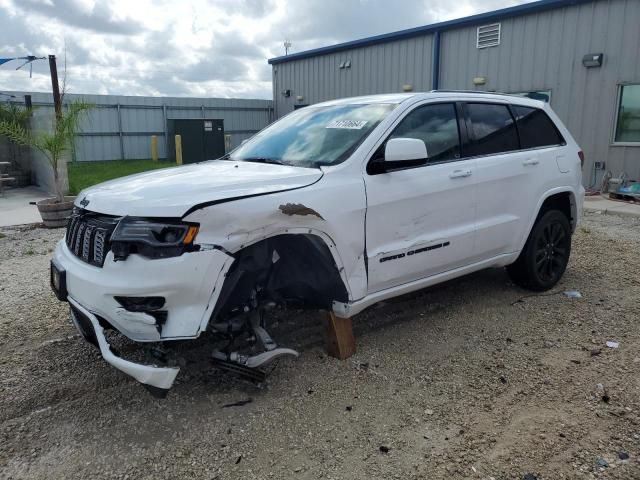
[{"x": 120, "y": 127}]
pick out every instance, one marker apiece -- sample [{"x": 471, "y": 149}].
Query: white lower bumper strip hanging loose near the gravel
[{"x": 160, "y": 379}]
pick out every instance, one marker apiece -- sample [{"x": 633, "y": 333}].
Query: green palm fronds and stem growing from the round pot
[{"x": 53, "y": 145}]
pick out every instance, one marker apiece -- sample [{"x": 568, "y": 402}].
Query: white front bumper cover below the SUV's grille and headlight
[{"x": 189, "y": 284}]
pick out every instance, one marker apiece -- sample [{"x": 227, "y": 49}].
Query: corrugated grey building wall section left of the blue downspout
[{"x": 374, "y": 69}]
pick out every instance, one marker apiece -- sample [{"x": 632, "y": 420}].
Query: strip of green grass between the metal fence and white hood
[{"x": 86, "y": 174}]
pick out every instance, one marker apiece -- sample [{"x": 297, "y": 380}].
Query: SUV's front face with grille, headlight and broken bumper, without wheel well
[{"x": 143, "y": 278}]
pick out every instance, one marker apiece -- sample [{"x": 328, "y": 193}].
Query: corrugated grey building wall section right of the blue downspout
[{"x": 544, "y": 51}]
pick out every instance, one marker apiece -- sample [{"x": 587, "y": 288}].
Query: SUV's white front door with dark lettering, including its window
[{"x": 420, "y": 221}]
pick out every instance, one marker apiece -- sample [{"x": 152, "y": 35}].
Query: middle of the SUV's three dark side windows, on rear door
[{"x": 493, "y": 128}]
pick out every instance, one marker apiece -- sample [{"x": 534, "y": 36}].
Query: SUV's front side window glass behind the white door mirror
[{"x": 437, "y": 126}]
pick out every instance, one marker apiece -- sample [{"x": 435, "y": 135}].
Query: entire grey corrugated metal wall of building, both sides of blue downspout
[{"x": 539, "y": 51}]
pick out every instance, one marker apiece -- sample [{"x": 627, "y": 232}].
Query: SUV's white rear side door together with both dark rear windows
[{"x": 515, "y": 163}]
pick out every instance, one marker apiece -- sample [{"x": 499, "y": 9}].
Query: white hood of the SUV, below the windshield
[{"x": 172, "y": 192}]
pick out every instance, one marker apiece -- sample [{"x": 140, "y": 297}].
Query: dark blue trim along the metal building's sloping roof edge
[{"x": 496, "y": 15}]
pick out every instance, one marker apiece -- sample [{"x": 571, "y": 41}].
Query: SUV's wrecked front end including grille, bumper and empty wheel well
[{"x": 150, "y": 281}]
